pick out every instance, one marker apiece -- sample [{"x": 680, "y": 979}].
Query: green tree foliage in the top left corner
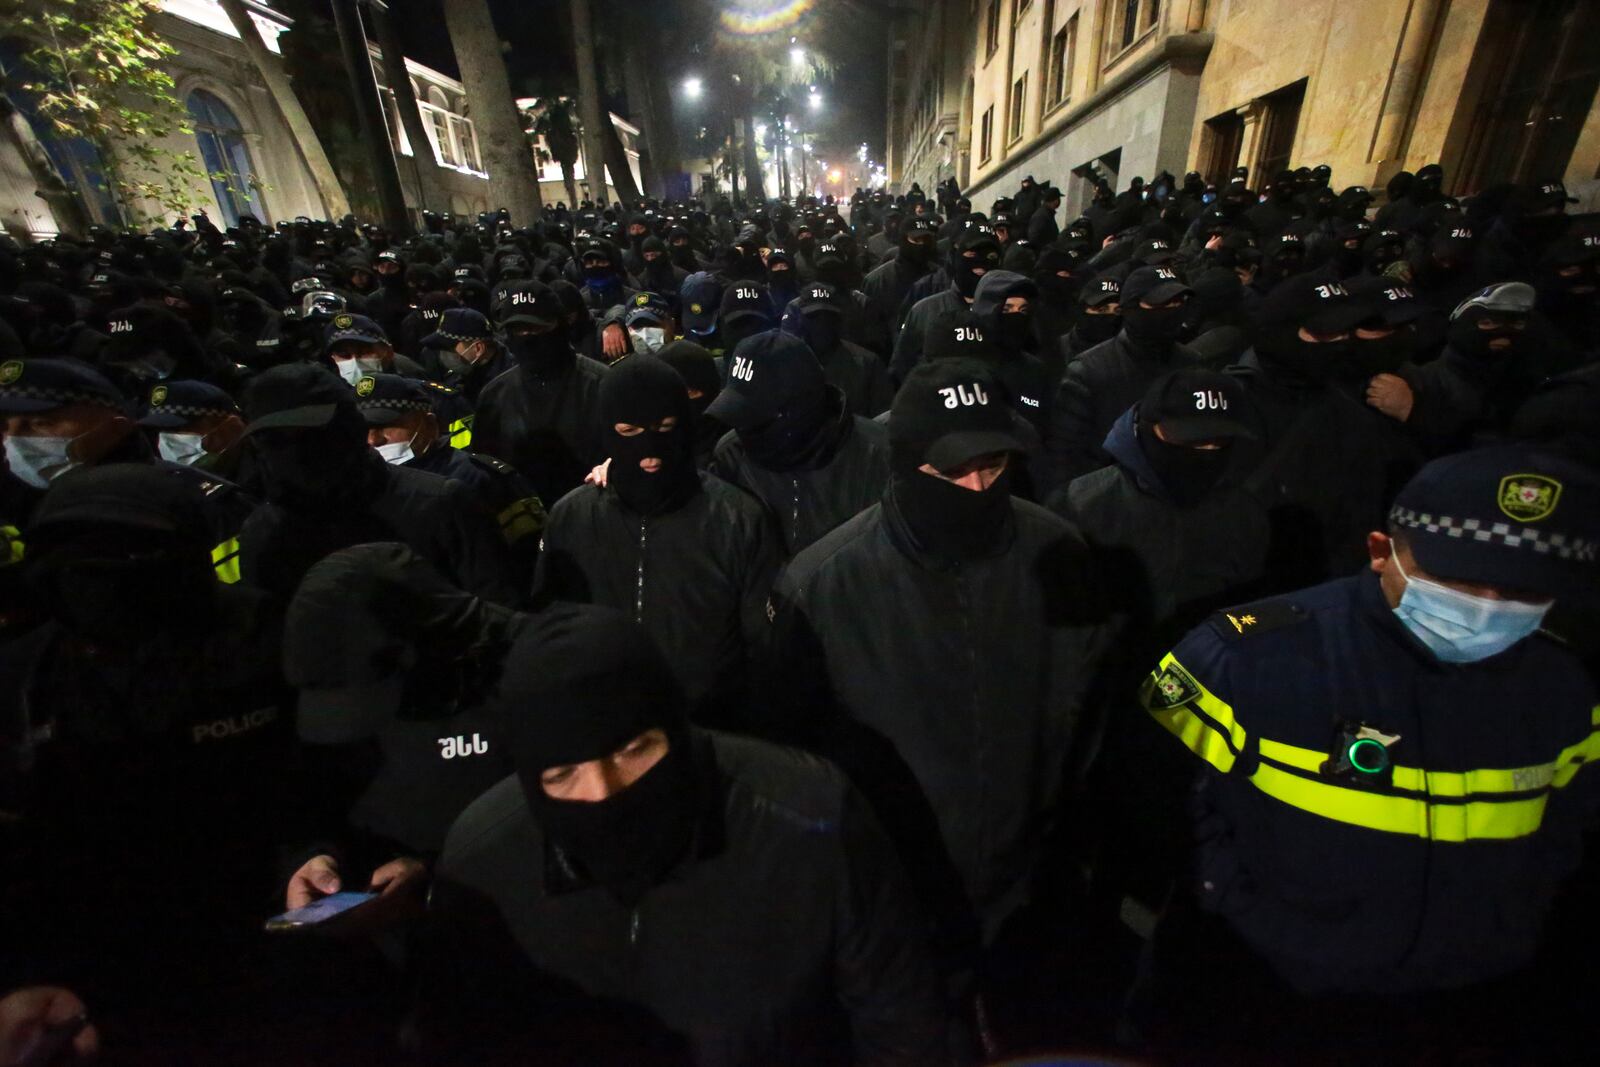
[{"x": 98, "y": 71}]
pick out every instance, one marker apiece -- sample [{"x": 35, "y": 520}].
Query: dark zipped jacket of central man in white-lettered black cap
[{"x": 974, "y": 674}]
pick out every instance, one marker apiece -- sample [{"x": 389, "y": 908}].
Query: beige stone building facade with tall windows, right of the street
[{"x": 1076, "y": 90}]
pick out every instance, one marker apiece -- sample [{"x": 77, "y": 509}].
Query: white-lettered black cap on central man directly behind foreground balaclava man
[{"x": 950, "y": 412}]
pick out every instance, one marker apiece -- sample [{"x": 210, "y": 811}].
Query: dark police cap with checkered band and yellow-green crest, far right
[{"x": 1506, "y": 516}]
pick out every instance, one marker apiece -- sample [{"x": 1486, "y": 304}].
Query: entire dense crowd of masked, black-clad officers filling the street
[{"x": 814, "y": 633}]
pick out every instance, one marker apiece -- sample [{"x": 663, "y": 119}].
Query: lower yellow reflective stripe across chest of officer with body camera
[{"x": 1474, "y": 820}]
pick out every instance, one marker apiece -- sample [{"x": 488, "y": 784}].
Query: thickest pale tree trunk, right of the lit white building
[{"x": 508, "y": 158}]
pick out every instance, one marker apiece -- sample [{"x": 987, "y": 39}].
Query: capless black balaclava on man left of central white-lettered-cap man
[{"x": 644, "y": 391}]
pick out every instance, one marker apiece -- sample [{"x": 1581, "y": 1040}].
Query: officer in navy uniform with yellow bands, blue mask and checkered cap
[{"x": 1393, "y": 780}]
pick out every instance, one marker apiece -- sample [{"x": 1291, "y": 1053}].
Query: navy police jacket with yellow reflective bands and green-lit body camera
[{"x": 1374, "y": 820}]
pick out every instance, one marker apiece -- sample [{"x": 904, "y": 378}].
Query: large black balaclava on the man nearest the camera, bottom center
[{"x": 580, "y": 684}]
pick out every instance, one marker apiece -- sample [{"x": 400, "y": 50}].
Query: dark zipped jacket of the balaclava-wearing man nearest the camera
[{"x": 785, "y": 937}]
